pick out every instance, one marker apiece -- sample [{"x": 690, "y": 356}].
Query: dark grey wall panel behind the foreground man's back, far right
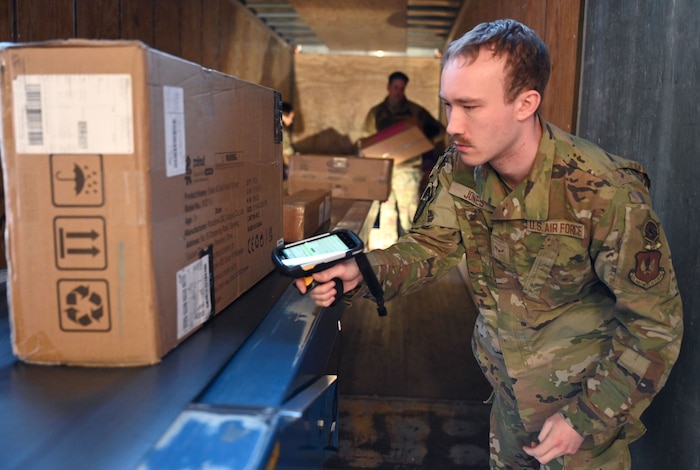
[{"x": 639, "y": 98}]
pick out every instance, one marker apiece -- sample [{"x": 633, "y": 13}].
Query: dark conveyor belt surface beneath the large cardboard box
[{"x": 71, "y": 417}]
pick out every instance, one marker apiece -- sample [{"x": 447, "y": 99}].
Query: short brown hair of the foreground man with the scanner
[{"x": 527, "y": 57}]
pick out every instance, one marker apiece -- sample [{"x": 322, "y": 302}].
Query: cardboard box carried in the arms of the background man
[{"x": 400, "y": 142}]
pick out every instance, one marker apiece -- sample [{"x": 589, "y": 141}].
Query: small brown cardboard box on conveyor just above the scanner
[{"x": 305, "y": 213}]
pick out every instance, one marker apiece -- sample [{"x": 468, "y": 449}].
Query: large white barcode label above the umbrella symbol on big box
[{"x": 78, "y": 114}]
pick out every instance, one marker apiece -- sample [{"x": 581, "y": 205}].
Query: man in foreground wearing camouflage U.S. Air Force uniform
[{"x": 580, "y": 318}]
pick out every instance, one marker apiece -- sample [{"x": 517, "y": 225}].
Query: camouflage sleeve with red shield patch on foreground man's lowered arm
[{"x": 632, "y": 257}]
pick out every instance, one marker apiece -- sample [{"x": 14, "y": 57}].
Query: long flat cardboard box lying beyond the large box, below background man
[{"x": 345, "y": 176}]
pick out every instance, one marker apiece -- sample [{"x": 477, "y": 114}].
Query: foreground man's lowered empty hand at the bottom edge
[{"x": 556, "y": 438}]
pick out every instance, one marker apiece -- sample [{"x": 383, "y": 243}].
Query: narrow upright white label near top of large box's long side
[{"x": 174, "y": 115}]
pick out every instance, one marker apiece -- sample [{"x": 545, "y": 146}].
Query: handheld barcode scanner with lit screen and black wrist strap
[{"x": 305, "y": 257}]
